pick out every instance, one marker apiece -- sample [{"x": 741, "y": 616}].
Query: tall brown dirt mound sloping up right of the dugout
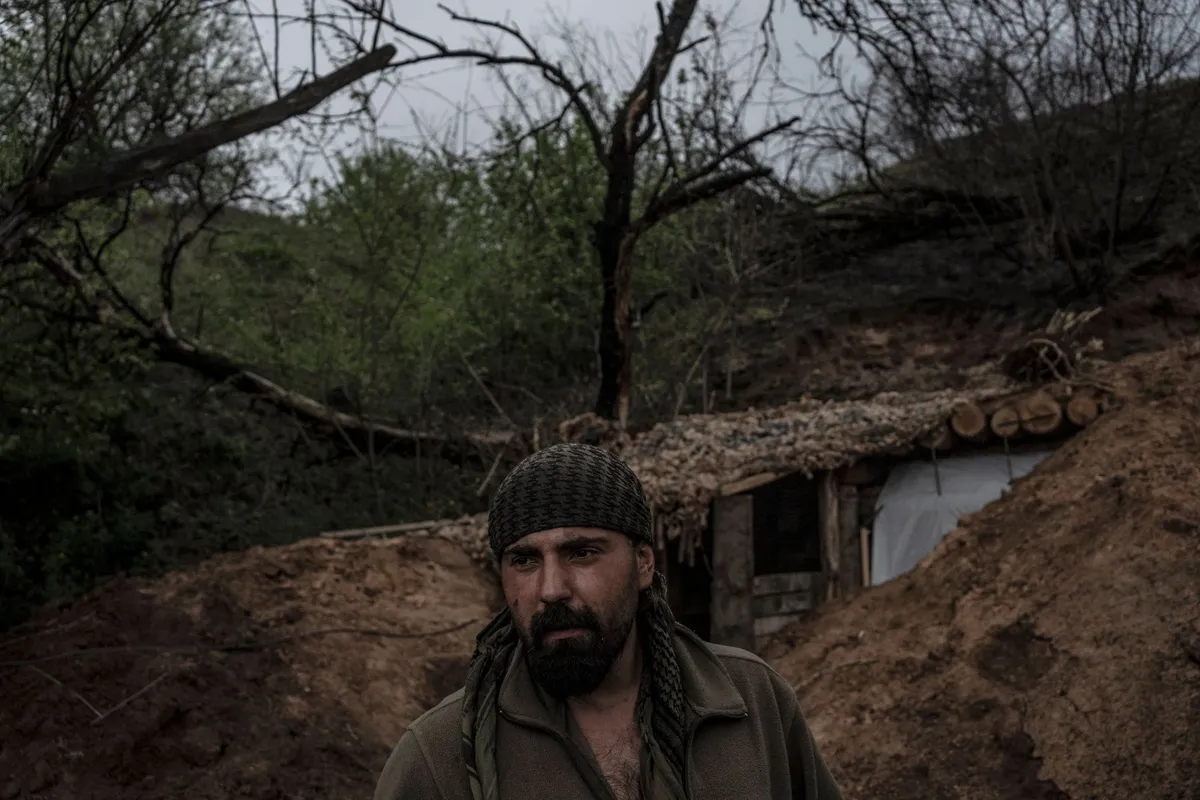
[{"x": 1049, "y": 648}]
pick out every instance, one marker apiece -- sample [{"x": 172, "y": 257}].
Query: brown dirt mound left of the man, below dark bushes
[{"x": 284, "y": 673}]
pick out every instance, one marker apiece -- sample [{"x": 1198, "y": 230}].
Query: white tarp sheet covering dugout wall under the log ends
[{"x": 911, "y": 518}]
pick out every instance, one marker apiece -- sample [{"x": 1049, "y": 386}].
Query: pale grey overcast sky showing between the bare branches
[{"x": 434, "y": 97}]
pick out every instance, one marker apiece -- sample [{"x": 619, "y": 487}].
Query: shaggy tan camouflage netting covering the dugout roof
[{"x": 685, "y": 464}]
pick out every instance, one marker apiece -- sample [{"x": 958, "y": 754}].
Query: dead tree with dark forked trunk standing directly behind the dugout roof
[{"x": 650, "y": 173}]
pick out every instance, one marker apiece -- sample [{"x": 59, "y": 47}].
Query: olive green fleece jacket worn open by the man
[{"x": 747, "y": 739}]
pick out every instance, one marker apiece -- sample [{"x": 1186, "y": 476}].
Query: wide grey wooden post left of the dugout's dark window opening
[{"x": 733, "y": 606}]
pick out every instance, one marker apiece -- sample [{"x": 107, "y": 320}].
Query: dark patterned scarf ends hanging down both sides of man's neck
[{"x": 661, "y": 706}]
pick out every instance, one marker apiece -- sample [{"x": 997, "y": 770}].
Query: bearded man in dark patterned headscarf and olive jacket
[{"x": 585, "y": 687}]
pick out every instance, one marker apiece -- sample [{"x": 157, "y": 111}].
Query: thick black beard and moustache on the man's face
[{"x": 577, "y": 665}]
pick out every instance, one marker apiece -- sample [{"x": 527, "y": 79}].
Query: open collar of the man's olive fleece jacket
[{"x": 707, "y": 688}]
